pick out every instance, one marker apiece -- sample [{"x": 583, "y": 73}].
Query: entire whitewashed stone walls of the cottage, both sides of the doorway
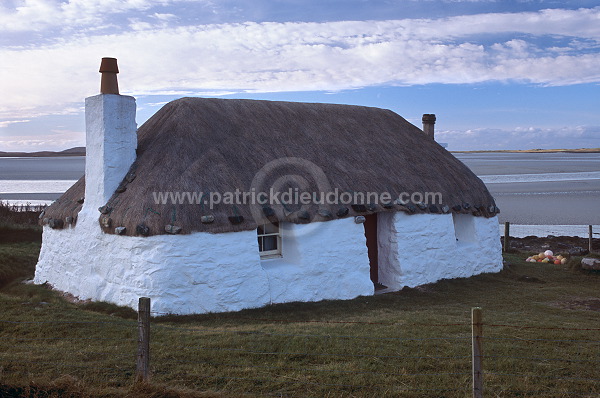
[{"x": 203, "y": 272}]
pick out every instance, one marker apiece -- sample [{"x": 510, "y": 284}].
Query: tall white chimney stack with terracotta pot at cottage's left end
[{"x": 111, "y": 137}]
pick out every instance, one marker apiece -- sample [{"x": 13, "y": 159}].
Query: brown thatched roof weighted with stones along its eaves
[{"x": 220, "y": 145}]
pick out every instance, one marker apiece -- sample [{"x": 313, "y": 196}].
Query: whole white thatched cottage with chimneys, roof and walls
[{"x": 157, "y": 215}]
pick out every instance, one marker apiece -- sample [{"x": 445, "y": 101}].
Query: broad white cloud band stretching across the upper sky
[{"x": 274, "y": 57}]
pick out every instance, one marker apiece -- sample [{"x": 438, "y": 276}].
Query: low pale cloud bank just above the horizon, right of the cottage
[{"x": 521, "y": 138}]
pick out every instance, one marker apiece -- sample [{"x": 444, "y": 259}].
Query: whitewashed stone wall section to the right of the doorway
[{"x": 423, "y": 248}]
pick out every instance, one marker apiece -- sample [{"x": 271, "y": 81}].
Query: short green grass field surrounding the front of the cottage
[{"x": 413, "y": 343}]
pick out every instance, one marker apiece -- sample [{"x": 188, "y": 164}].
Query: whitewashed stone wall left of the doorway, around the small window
[{"x": 202, "y": 272}]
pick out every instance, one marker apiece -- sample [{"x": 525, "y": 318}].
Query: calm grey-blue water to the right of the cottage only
[{"x": 541, "y": 188}]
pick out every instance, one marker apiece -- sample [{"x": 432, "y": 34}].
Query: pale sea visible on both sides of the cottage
[{"x": 538, "y": 193}]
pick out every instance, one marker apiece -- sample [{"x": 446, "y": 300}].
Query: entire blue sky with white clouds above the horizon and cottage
[{"x": 514, "y": 74}]
